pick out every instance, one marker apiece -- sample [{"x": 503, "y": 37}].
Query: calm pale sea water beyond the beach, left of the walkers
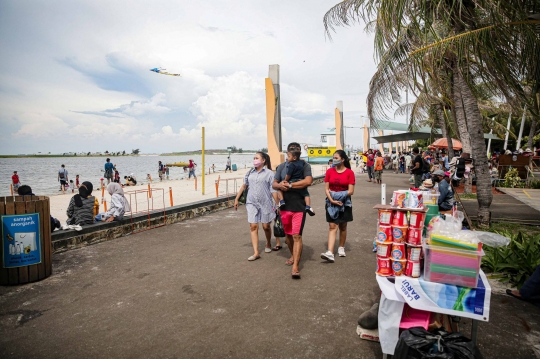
[{"x": 41, "y": 173}]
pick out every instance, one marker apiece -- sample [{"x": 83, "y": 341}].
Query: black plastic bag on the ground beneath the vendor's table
[{"x": 419, "y": 343}]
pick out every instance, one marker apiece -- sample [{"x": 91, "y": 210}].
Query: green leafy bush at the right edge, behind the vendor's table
[{"x": 517, "y": 261}]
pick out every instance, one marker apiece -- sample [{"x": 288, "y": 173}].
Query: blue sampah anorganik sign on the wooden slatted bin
[{"x": 21, "y": 240}]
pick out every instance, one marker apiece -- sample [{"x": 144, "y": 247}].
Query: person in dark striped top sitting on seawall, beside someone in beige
[{"x": 82, "y": 207}]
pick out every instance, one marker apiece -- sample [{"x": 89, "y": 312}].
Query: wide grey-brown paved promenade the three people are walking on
[{"x": 187, "y": 291}]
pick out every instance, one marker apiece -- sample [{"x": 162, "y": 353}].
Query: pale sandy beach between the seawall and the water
[{"x": 183, "y": 191}]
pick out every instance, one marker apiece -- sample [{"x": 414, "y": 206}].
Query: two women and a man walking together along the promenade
[{"x": 285, "y": 193}]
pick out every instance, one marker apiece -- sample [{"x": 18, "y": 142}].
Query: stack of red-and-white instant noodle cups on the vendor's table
[{"x": 399, "y": 242}]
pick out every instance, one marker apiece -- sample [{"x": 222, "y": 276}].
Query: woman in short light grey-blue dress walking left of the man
[{"x": 259, "y": 201}]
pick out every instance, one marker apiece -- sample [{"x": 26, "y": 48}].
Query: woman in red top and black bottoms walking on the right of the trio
[{"x": 339, "y": 185}]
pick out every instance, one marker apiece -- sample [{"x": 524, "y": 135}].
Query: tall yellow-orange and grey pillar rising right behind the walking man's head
[{"x": 273, "y": 116}]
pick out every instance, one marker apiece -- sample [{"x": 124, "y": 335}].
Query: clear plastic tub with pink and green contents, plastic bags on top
[{"x": 452, "y": 255}]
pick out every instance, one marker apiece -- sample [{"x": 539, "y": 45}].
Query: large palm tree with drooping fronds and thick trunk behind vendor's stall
[{"x": 458, "y": 43}]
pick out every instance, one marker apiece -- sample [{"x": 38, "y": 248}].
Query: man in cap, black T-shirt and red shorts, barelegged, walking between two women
[{"x": 293, "y": 213}]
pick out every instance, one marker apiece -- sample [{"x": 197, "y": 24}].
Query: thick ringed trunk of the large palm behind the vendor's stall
[{"x": 476, "y": 133}]
